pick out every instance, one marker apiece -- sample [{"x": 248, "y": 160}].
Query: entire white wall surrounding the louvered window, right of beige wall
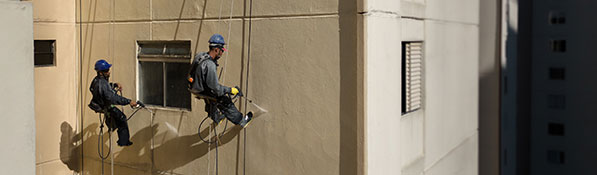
[{"x": 442, "y": 137}]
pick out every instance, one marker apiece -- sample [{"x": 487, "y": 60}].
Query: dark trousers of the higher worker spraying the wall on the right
[{"x": 223, "y": 108}]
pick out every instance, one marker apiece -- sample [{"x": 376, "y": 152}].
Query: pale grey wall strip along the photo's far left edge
[{"x": 17, "y": 92}]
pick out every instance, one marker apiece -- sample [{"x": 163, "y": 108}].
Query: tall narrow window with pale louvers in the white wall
[{"x": 412, "y": 75}]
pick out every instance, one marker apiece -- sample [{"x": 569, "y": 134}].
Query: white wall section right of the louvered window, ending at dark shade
[{"x": 451, "y": 123}]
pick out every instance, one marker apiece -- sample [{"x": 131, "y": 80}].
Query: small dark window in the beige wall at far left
[{"x": 44, "y": 52}]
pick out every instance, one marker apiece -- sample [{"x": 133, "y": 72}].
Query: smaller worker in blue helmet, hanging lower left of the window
[{"x": 104, "y": 99}]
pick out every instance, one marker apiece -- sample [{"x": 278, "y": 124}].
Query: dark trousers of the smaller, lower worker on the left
[{"x": 117, "y": 120}]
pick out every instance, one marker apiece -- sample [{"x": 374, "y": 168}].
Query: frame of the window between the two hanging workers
[{"x": 164, "y": 59}]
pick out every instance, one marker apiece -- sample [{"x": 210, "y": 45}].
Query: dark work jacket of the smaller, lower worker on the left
[{"x": 104, "y": 94}]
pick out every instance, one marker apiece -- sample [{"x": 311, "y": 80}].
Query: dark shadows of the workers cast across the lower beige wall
[{"x": 184, "y": 149}]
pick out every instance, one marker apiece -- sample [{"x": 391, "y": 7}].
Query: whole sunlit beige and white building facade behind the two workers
[{"x": 329, "y": 74}]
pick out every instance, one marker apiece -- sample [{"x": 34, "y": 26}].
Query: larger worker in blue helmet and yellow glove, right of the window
[{"x": 203, "y": 80}]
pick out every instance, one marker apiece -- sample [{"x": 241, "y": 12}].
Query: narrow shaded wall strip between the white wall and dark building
[{"x": 489, "y": 86}]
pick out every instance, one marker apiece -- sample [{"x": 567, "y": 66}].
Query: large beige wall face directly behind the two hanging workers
[{"x": 294, "y": 74}]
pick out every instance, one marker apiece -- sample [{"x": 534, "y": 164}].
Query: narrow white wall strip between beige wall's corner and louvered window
[{"x": 382, "y": 87}]
